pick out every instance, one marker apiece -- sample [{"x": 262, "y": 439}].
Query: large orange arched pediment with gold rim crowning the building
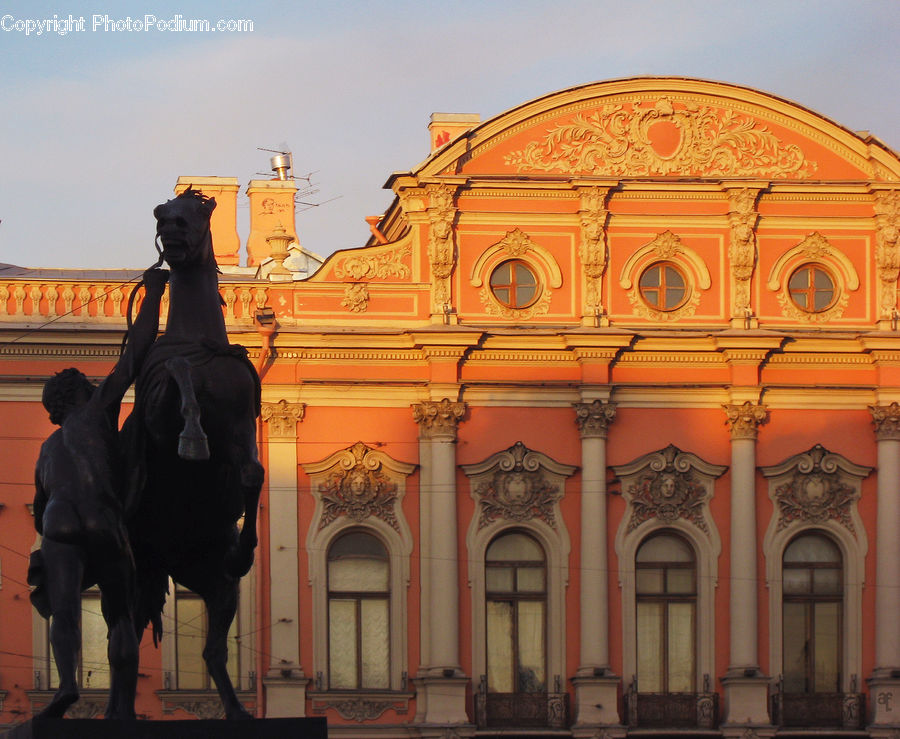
[{"x": 664, "y": 127}]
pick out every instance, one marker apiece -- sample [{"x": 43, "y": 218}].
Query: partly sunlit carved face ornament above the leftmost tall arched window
[{"x": 358, "y": 488}]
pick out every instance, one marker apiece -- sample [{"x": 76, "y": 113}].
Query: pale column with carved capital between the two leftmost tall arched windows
[{"x": 442, "y": 682}]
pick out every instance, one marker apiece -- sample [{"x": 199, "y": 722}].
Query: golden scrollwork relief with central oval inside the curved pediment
[{"x": 659, "y": 140}]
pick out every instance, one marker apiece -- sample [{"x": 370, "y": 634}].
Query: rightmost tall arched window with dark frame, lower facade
[{"x": 812, "y": 597}]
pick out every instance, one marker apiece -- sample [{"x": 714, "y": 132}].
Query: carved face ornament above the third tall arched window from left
[{"x": 668, "y": 491}]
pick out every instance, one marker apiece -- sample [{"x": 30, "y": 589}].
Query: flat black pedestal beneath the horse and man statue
[{"x": 266, "y": 728}]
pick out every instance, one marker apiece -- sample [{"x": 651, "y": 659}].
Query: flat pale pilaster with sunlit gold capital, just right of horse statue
[{"x": 284, "y": 681}]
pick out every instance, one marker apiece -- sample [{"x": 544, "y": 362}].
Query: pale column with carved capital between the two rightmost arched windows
[{"x": 746, "y": 689}]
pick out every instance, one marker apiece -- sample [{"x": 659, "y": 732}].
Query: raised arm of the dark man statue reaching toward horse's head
[{"x": 140, "y": 339}]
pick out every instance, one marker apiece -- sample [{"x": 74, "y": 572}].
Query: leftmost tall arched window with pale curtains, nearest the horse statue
[{"x": 358, "y": 613}]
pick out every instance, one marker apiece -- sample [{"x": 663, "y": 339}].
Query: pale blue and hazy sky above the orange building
[{"x": 97, "y": 124}]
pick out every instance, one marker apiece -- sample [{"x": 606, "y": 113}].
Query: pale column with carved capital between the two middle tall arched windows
[{"x": 596, "y": 687}]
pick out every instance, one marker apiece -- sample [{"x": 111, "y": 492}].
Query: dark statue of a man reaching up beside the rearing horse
[{"x": 80, "y": 514}]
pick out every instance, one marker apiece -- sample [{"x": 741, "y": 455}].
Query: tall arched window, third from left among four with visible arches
[{"x": 666, "y": 599}]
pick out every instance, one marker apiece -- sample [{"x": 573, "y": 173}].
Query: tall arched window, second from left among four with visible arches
[{"x": 516, "y": 601}]
